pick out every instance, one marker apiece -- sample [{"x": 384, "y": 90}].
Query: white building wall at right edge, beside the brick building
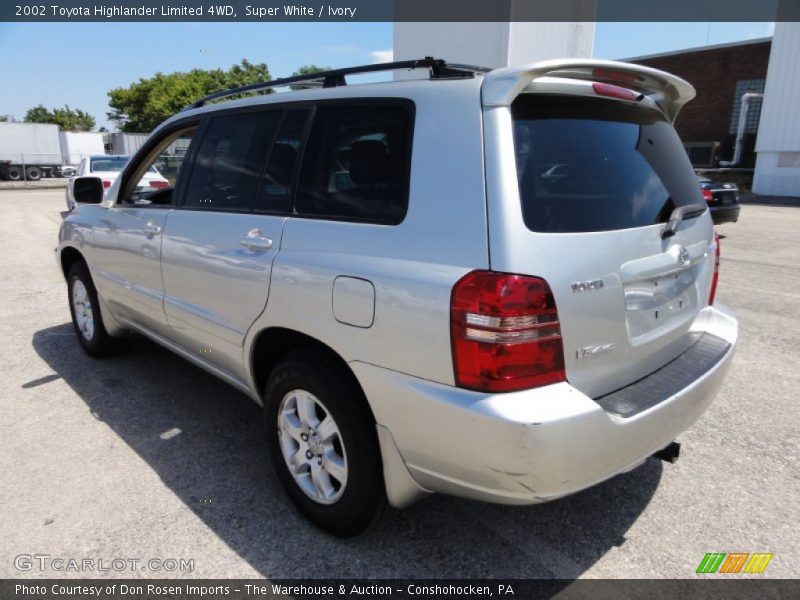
[{"x": 778, "y": 143}]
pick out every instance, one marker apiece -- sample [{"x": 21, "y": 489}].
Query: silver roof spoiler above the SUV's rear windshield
[{"x": 501, "y": 86}]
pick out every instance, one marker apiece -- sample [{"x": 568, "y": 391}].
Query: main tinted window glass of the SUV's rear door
[{"x": 230, "y": 160}]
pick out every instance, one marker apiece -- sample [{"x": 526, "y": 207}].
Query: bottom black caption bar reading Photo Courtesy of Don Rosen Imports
[{"x": 706, "y": 587}]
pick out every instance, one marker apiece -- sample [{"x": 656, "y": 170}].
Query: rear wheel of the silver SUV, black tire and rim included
[{"x": 346, "y": 456}]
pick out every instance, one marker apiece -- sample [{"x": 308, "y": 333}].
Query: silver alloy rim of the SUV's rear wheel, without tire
[{"x": 312, "y": 446}]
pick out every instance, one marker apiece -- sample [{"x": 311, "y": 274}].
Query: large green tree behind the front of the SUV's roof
[{"x": 141, "y": 106}]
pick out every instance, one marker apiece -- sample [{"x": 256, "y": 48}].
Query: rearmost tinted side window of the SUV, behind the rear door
[{"x": 356, "y": 164}]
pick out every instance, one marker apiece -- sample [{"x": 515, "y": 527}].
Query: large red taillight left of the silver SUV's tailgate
[{"x": 505, "y": 333}]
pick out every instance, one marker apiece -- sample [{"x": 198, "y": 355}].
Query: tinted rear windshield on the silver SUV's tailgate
[{"x": 590, "y": 164}]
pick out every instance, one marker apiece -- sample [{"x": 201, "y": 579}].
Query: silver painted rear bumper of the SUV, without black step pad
[{"x": 536, "y": 445}]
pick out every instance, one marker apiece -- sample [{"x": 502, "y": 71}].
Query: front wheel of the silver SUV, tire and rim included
[{"x": 85, "y": 310}]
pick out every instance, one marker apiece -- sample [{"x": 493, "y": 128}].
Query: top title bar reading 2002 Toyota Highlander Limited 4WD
[{"x": 398, "y": 10}]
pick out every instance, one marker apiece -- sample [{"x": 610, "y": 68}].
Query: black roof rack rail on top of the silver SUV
[{"x": 437, "y": 68}]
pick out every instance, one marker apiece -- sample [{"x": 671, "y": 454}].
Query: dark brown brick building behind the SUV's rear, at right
[{"x": 720, "y": 74}]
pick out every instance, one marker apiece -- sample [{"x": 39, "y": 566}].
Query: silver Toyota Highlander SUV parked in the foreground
[{"x": 492, "y": 284}]
